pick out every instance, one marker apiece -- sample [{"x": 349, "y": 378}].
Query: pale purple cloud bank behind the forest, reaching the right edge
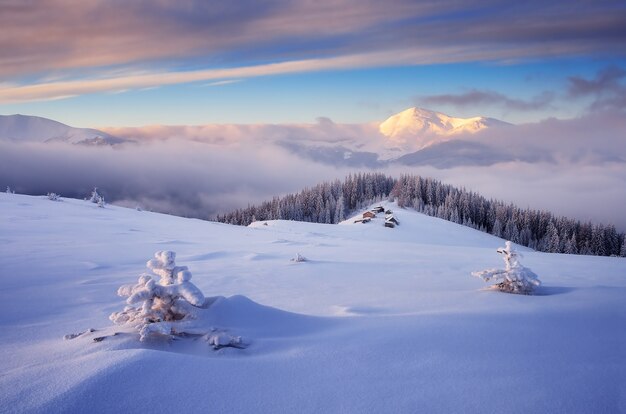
[{"x": 574, "y": 167}]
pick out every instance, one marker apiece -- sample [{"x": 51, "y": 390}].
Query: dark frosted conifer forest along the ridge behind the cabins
[{"x": 332, "y": 202}]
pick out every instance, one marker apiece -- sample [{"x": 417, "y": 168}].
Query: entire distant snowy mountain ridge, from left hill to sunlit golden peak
[{"x": 415, "y": 136}]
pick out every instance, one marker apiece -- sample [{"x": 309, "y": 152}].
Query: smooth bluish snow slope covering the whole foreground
[{"x": 378, "y": 319}]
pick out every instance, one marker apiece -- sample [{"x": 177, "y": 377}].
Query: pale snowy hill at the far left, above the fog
[{"x": 23, "y": 128}]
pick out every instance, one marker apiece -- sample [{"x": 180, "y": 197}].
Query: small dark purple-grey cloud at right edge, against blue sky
[{"x": 606, "y": 89}]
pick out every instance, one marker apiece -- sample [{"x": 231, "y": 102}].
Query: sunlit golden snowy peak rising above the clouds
[{"x": 421, "y": 127}]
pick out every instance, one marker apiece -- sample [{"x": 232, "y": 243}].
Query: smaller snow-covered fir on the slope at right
[{"x": 514, "y": 278}]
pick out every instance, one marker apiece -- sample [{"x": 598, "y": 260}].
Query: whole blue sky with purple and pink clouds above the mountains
[{"x": 191, "y": 62}]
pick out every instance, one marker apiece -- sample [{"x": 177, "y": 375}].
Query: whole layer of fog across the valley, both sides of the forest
[{"x": 575, "y": 167}]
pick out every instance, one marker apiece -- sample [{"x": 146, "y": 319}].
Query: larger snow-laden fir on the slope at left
[{"x": 159, "y": 308}]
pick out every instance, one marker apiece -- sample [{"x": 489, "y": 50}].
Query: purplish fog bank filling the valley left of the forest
[{"x": 190, "y": 179}]
